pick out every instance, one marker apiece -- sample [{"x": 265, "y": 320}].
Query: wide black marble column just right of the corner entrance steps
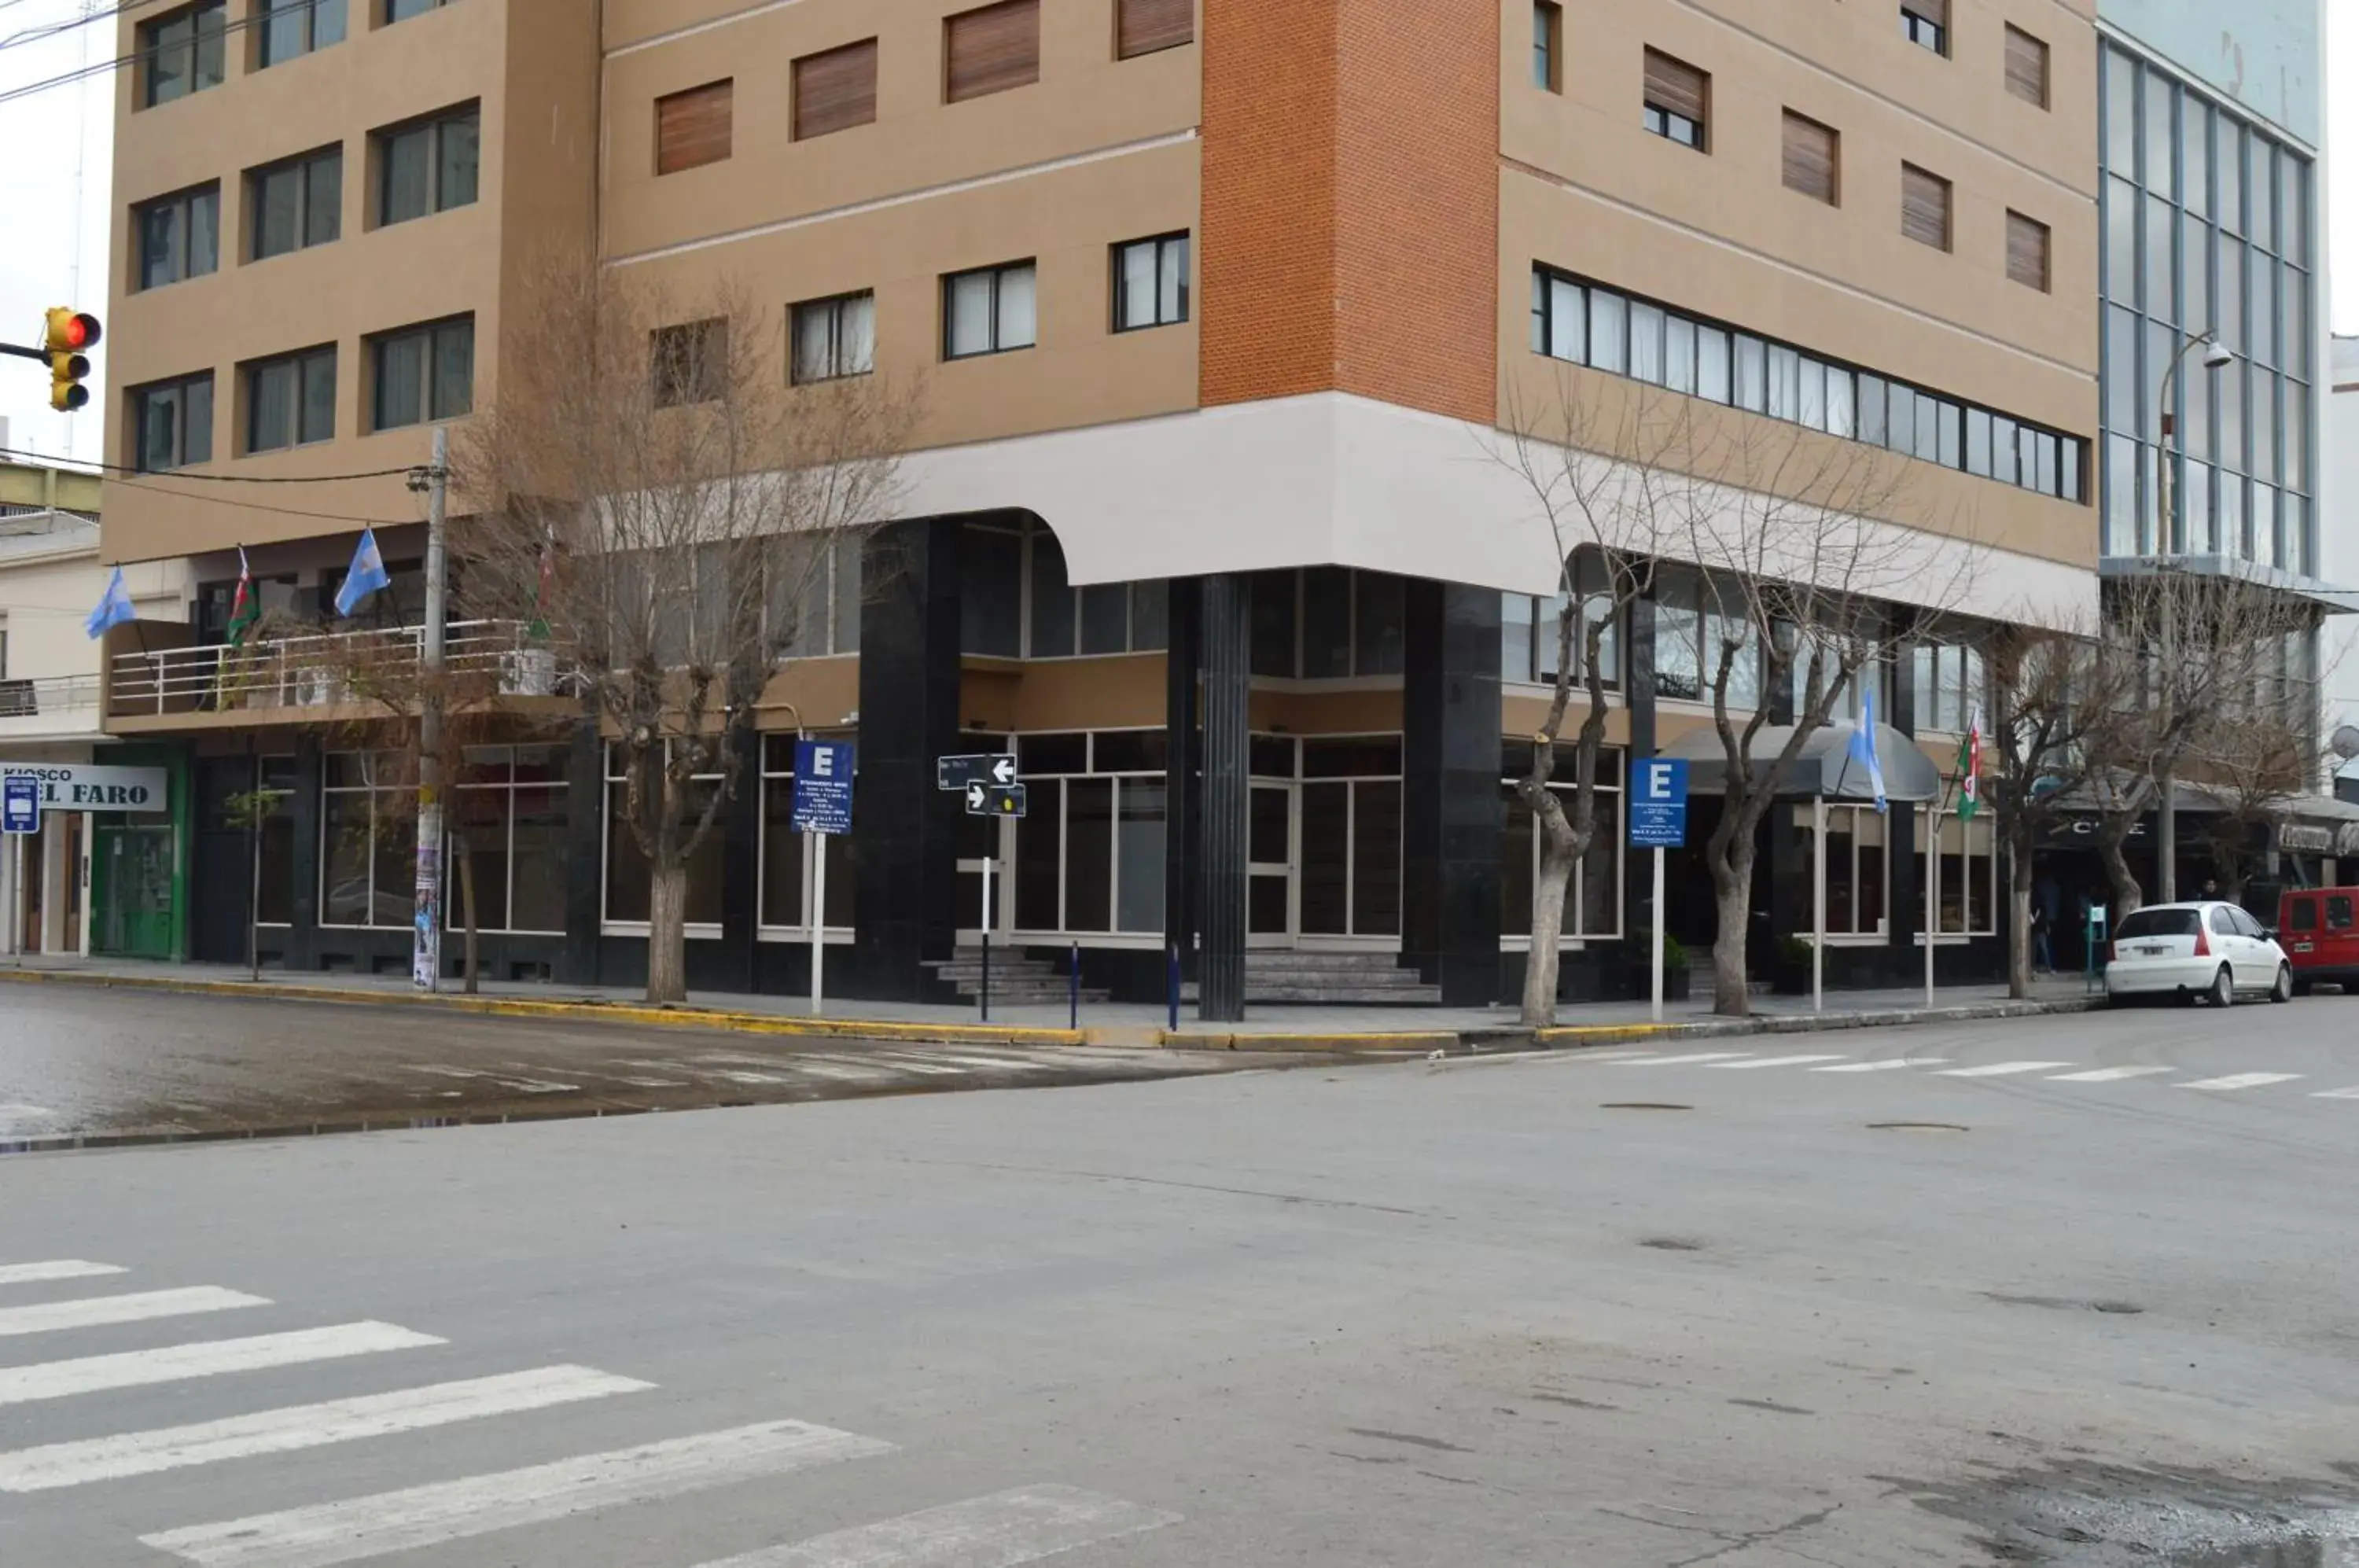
[{"x": 1452, "y": 808}]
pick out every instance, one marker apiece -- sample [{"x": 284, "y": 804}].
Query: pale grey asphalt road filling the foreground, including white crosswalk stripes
[{"x": 1584, "y": 1310}]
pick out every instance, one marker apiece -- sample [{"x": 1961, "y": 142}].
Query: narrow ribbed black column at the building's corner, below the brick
[{"x": 1228, "y": 685}]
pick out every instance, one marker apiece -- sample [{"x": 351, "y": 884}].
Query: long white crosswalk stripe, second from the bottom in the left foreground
[{"x": 478, "y": 1506}]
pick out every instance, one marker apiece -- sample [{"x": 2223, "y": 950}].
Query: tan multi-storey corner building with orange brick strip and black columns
[{"x": 1223, "y": 308}]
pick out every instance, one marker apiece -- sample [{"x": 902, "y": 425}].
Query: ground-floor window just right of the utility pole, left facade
[{"x": 508, "y": 812}]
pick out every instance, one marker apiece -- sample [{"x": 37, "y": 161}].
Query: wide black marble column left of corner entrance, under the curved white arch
[{"x": 905, "y": 897}]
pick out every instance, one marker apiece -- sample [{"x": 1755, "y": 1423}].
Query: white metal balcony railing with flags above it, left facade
[{"x": 320, "y": 671}]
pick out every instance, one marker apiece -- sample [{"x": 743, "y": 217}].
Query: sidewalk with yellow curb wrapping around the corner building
[{"x": 1270, "y": 1027}]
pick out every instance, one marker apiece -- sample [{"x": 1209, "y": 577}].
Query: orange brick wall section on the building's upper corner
[{"x": 1351, "y": 202}]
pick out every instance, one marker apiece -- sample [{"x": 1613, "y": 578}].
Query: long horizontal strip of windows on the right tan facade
[{"x": 1610, "y": 331}]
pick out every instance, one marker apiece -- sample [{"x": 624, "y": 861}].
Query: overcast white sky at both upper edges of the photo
[{"x": 53, "y": 187}]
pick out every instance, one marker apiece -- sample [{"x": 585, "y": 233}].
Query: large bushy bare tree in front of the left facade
[{"x": 657, "y": 492}]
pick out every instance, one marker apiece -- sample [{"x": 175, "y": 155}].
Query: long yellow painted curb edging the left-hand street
[{"x": 610, "y": 1013}]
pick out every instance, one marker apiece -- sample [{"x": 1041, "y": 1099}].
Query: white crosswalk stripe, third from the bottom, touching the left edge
[{"x": 268, "y": 1432}]
